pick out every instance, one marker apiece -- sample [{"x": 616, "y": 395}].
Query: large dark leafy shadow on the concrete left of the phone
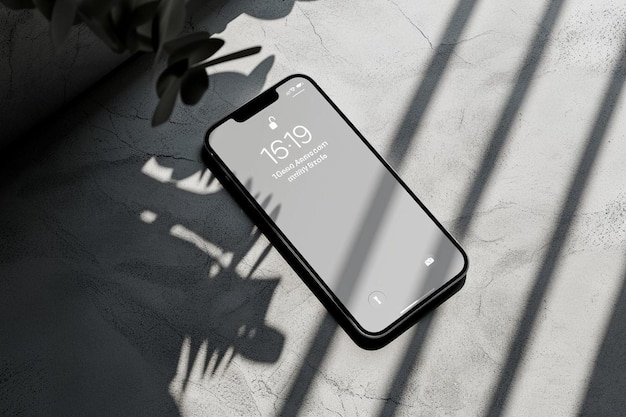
[{"x": 107, "y": 273}]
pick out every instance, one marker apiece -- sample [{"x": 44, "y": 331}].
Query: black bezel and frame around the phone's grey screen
[{"x": 291, "y": 254}]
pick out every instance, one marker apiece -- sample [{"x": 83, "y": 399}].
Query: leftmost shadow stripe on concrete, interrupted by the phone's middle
[{"x": 403, "y": 138}]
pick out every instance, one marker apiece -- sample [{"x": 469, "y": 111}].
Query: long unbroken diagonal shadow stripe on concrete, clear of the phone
[{"x": 575, "y": 194}]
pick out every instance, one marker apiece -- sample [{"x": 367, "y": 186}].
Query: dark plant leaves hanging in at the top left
[{"x": 143, "y": 25}]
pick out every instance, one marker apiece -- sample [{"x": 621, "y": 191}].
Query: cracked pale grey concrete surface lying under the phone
[{"x": 131, "y": 284}]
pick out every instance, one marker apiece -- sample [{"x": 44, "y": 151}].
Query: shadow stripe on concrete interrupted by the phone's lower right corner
[{"x": 496, "y": 144}]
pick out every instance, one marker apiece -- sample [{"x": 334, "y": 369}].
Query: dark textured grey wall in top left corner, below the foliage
[{"x": 36, "y": 80}]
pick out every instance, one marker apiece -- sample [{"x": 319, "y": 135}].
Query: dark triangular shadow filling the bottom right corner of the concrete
[{"x": 605, "y": 390}]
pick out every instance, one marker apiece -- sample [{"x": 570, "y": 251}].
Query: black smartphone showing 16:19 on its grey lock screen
[{"x": 336, "y": 211}]
